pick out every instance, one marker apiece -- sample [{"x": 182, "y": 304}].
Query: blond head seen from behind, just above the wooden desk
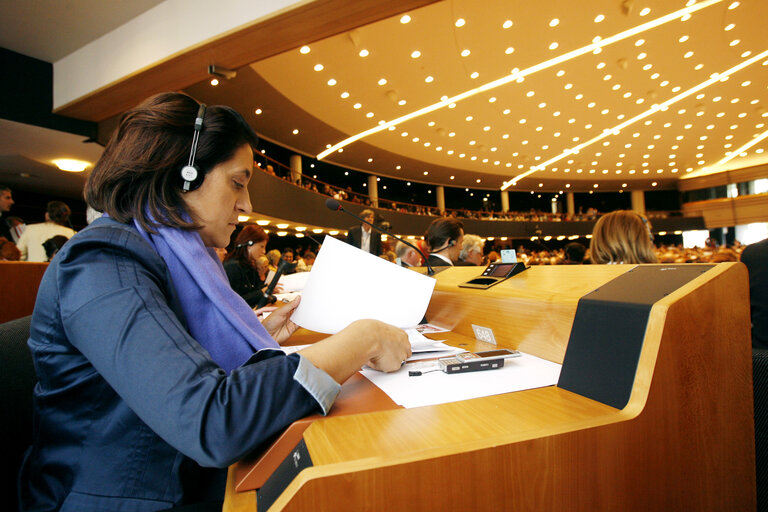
[{"x": 622, "y": 236}]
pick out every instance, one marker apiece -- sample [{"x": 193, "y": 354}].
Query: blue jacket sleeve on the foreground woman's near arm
[{"x": 115, "y": 311}]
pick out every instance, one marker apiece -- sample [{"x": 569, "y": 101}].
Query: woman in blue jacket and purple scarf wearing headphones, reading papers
[{"x": 154, "y": 375}]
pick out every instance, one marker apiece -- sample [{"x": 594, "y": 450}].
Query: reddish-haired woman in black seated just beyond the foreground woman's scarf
[{"x": 240, "y": 264}]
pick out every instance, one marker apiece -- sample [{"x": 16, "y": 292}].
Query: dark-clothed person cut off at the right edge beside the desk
[{"x": 755, "y": 257}]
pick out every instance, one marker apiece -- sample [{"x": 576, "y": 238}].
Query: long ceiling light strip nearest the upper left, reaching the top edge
[{"x": 523, "y": 73}]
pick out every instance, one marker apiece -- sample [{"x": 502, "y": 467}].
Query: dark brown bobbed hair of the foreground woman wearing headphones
[{"x": 139, "y": 174}]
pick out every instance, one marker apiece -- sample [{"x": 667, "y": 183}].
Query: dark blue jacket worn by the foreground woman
[{"x": 126, "y": 397}]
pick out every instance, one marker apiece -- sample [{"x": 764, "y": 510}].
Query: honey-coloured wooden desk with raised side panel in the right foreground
[{"x": 684, "y": 441}]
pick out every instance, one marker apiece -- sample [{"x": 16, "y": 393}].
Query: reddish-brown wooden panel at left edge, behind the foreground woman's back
[{"x": 19, "y": 281}]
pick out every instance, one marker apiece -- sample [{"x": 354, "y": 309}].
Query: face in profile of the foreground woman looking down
[{"x": 222, "y": 197}]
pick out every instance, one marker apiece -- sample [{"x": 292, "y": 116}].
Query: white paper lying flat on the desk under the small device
[{"x": 518, "y": 373}]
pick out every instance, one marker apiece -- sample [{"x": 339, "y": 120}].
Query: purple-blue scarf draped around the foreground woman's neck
[{"x": 217, "y": 317}]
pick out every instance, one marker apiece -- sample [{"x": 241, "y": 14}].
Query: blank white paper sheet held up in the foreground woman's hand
[{"x": 347, "y": 284}]
